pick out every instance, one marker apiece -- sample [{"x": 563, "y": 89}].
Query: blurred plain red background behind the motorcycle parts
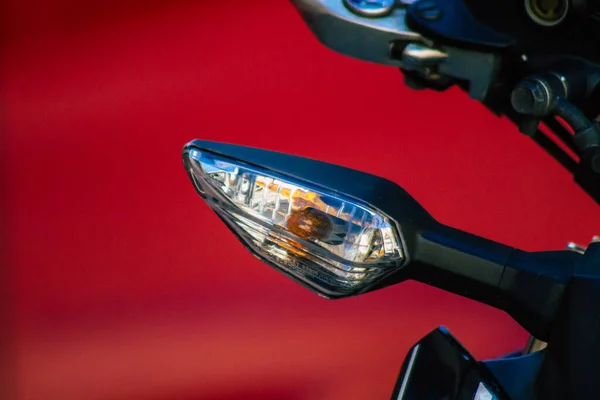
[{"x": 121, "y": 284}]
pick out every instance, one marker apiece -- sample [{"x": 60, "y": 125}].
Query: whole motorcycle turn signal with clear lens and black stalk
[{"x": 342, "y": 232}]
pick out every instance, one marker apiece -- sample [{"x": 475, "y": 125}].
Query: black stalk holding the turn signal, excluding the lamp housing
[{"x": 529, "y": 286}]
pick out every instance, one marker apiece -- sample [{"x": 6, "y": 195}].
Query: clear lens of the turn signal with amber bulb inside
[{"x": 328, "y": 241}]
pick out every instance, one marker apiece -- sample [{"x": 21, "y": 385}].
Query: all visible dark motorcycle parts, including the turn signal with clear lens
[{"x": 342, "y": 232}]
